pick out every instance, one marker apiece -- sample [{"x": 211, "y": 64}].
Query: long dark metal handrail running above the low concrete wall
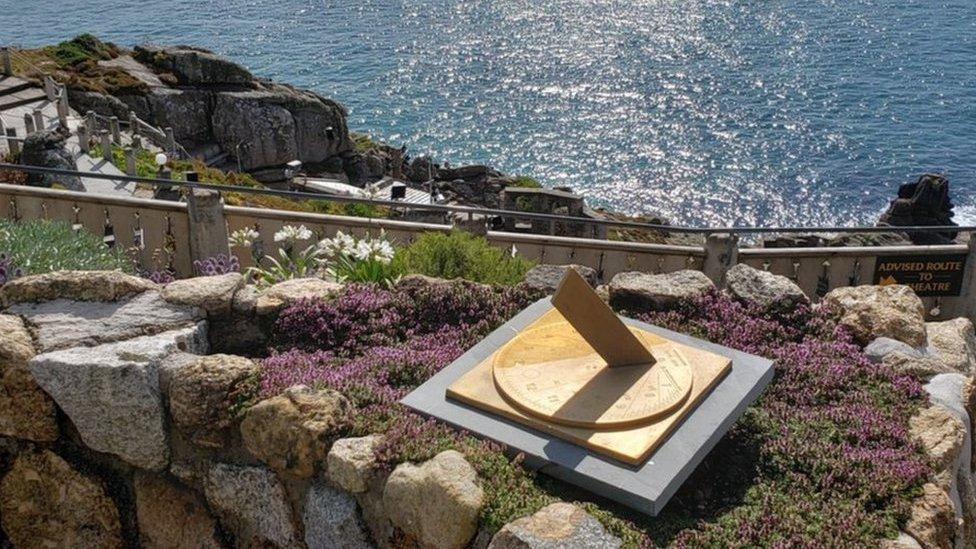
[{"x": 467, "y": 210}]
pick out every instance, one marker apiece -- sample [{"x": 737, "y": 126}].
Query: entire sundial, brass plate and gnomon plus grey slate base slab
[{"x": 617, "y": 406}]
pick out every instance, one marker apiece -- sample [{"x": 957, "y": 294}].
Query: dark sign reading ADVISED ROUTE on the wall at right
[{"x": 938, "y": 275}]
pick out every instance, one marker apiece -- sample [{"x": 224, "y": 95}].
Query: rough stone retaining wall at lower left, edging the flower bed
[{"x": 120, "y": 428}]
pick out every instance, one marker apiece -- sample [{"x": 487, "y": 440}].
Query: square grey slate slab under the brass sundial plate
[{"x": 646, "y": 488}]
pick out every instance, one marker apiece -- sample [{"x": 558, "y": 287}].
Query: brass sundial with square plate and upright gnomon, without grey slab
[{"x": 579, "y": 373}]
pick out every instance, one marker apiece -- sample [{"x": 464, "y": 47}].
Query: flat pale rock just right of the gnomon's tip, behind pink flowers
[{"x": 642, "y": 291}]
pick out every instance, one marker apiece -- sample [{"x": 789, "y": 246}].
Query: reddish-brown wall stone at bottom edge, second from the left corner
[{"x": 170, "y": 516}]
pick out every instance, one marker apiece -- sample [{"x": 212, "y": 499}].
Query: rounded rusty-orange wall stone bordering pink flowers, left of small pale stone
[{"x": 290, "y": 432}]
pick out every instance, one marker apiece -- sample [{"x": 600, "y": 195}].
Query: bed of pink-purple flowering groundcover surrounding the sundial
[{"x": 822, "y": 459}]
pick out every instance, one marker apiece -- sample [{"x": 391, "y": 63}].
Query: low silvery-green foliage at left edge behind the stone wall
[{"x": 43, "y": 246}]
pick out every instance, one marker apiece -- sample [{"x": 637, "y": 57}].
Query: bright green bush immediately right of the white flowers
[{"x": 461, "y": 255}]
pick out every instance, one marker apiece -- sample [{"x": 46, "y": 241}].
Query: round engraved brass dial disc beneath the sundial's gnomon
[{"x": 552, "y": 373}]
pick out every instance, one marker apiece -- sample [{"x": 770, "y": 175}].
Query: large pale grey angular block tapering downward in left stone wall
[{"x": 111, "y": 393}]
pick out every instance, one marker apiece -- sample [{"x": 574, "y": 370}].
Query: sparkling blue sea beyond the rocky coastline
[{"x": 706, "y": 111}]
